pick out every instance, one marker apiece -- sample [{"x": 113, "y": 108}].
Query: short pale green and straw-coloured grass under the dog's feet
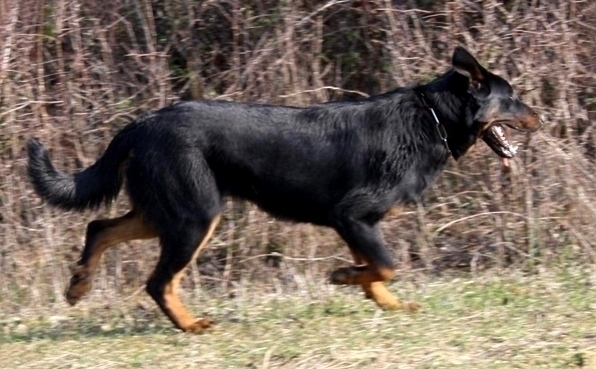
[{"x": 546, "y": 320}]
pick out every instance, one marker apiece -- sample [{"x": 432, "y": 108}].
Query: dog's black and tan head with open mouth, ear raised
[{"x": 498, "y": 106}]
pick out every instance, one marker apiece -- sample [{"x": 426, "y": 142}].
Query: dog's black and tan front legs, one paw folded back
[{"x": 373, "y": 264}]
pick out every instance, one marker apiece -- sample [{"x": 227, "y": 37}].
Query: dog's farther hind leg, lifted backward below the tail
[{"x": 102, "y": 234}]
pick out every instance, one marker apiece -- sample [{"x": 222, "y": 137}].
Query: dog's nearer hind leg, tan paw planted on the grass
[{"x": 178, "y": 249}]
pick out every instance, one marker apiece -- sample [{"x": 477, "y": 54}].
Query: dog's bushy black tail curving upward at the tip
[{"x": 99, "y": 183}]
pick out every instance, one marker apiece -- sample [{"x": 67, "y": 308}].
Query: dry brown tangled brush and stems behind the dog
[{"x": 72, "y": 72}]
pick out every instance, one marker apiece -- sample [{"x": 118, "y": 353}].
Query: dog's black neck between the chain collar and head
[{"x": 454, "y": 108}]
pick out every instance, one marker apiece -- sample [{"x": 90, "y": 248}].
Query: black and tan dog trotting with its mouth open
[{"x": 343, "y": 165}]
